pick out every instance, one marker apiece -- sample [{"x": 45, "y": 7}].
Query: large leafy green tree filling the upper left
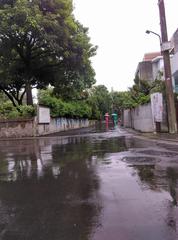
[{"x": 41, "y": 43}]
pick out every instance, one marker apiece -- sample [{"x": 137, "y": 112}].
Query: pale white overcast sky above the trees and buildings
[{"x": 118, "y": 28}]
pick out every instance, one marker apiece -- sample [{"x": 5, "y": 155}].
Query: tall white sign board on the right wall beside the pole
[{"x": 157, "y": 106}]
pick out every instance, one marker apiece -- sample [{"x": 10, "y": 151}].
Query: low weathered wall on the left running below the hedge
[{"x": 31, "y": 127}]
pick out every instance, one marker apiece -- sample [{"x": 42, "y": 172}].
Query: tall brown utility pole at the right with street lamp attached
[{"x": 171, "y": 112}]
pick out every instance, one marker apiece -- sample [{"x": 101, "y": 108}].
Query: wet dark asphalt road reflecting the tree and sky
[{"x": 93, "y": 185}]
